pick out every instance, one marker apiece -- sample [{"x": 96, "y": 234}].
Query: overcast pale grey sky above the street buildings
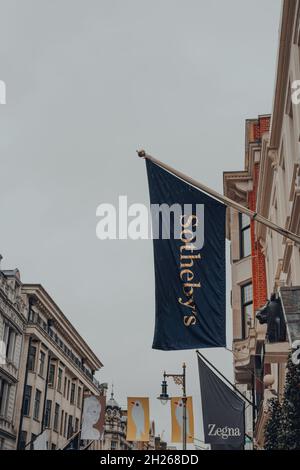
[{"x": 89, "y": 82}]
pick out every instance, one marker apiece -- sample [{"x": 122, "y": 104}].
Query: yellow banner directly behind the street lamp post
[{"x": 177, "y": 419}]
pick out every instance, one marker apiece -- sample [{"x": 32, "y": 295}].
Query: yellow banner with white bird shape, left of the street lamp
[{"x": 138, "y": 419}]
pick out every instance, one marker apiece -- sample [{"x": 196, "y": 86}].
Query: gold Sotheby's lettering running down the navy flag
[{"x": 187, "y": 259}]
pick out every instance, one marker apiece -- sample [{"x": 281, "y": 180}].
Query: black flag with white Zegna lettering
[{"x": 223, "y": 411}]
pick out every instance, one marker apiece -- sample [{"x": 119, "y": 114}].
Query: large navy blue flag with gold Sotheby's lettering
[{"x": 189, "y": 256}]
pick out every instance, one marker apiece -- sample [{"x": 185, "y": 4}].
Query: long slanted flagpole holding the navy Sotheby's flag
[{"x": 227, "y": 201}]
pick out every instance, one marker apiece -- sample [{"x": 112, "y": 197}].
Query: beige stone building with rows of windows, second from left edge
[{"x": 57, "y": 369}]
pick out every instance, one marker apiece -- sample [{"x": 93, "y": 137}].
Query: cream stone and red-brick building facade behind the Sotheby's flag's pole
[{"x": 266, "y": 265}]
